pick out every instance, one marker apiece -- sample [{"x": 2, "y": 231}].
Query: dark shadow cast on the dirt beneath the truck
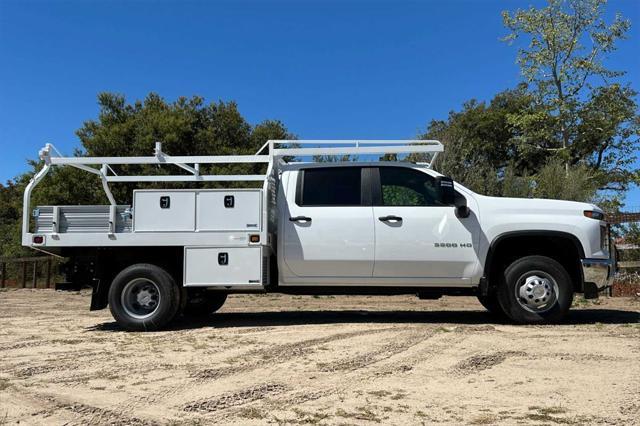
[{"x": 293, "y": 318}]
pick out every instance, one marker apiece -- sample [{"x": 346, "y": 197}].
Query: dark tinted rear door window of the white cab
[{"x": 331, "y": 186}]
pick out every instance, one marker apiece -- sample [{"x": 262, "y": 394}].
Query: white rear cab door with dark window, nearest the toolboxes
[{"x": 329, "y": 226}]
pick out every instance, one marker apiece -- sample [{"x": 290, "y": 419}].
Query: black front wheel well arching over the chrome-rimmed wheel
[{"x": 564, "y": 248}]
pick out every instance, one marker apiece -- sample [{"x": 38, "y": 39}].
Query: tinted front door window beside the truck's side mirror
[{"x": 403, "y": 186}]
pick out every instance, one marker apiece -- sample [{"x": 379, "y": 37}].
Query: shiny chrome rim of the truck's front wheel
[{"x": 537, "y": 292}]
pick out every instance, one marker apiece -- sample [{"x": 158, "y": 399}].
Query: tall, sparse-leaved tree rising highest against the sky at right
[{"x": 585, "y": 115}]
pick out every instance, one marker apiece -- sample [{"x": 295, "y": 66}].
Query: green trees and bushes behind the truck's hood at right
[{"x": 567, "y": 131}]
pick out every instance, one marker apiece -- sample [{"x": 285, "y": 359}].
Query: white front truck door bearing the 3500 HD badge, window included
[{"x": 417, "y": 236}]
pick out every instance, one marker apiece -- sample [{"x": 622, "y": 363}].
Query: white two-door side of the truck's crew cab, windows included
[{"x": 374, "y": 224}]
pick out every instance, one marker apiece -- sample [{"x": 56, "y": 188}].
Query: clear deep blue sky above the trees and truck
[{"x": 328, "y": 70}]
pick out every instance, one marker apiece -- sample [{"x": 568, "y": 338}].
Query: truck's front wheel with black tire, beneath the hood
[{"x": 543, "y": 280}]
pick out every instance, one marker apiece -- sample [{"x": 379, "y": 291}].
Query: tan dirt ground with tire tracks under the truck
[{"x": 318, "y": 360}]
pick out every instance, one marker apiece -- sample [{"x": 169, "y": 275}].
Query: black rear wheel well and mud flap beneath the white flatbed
[{"x": 101, "y": 265}]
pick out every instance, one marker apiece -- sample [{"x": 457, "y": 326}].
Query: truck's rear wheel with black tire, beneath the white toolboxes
[{"x": 154, "y": 281}]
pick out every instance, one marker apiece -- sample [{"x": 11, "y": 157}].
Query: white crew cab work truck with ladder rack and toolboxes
[{"x": 371, "y": 227}]
